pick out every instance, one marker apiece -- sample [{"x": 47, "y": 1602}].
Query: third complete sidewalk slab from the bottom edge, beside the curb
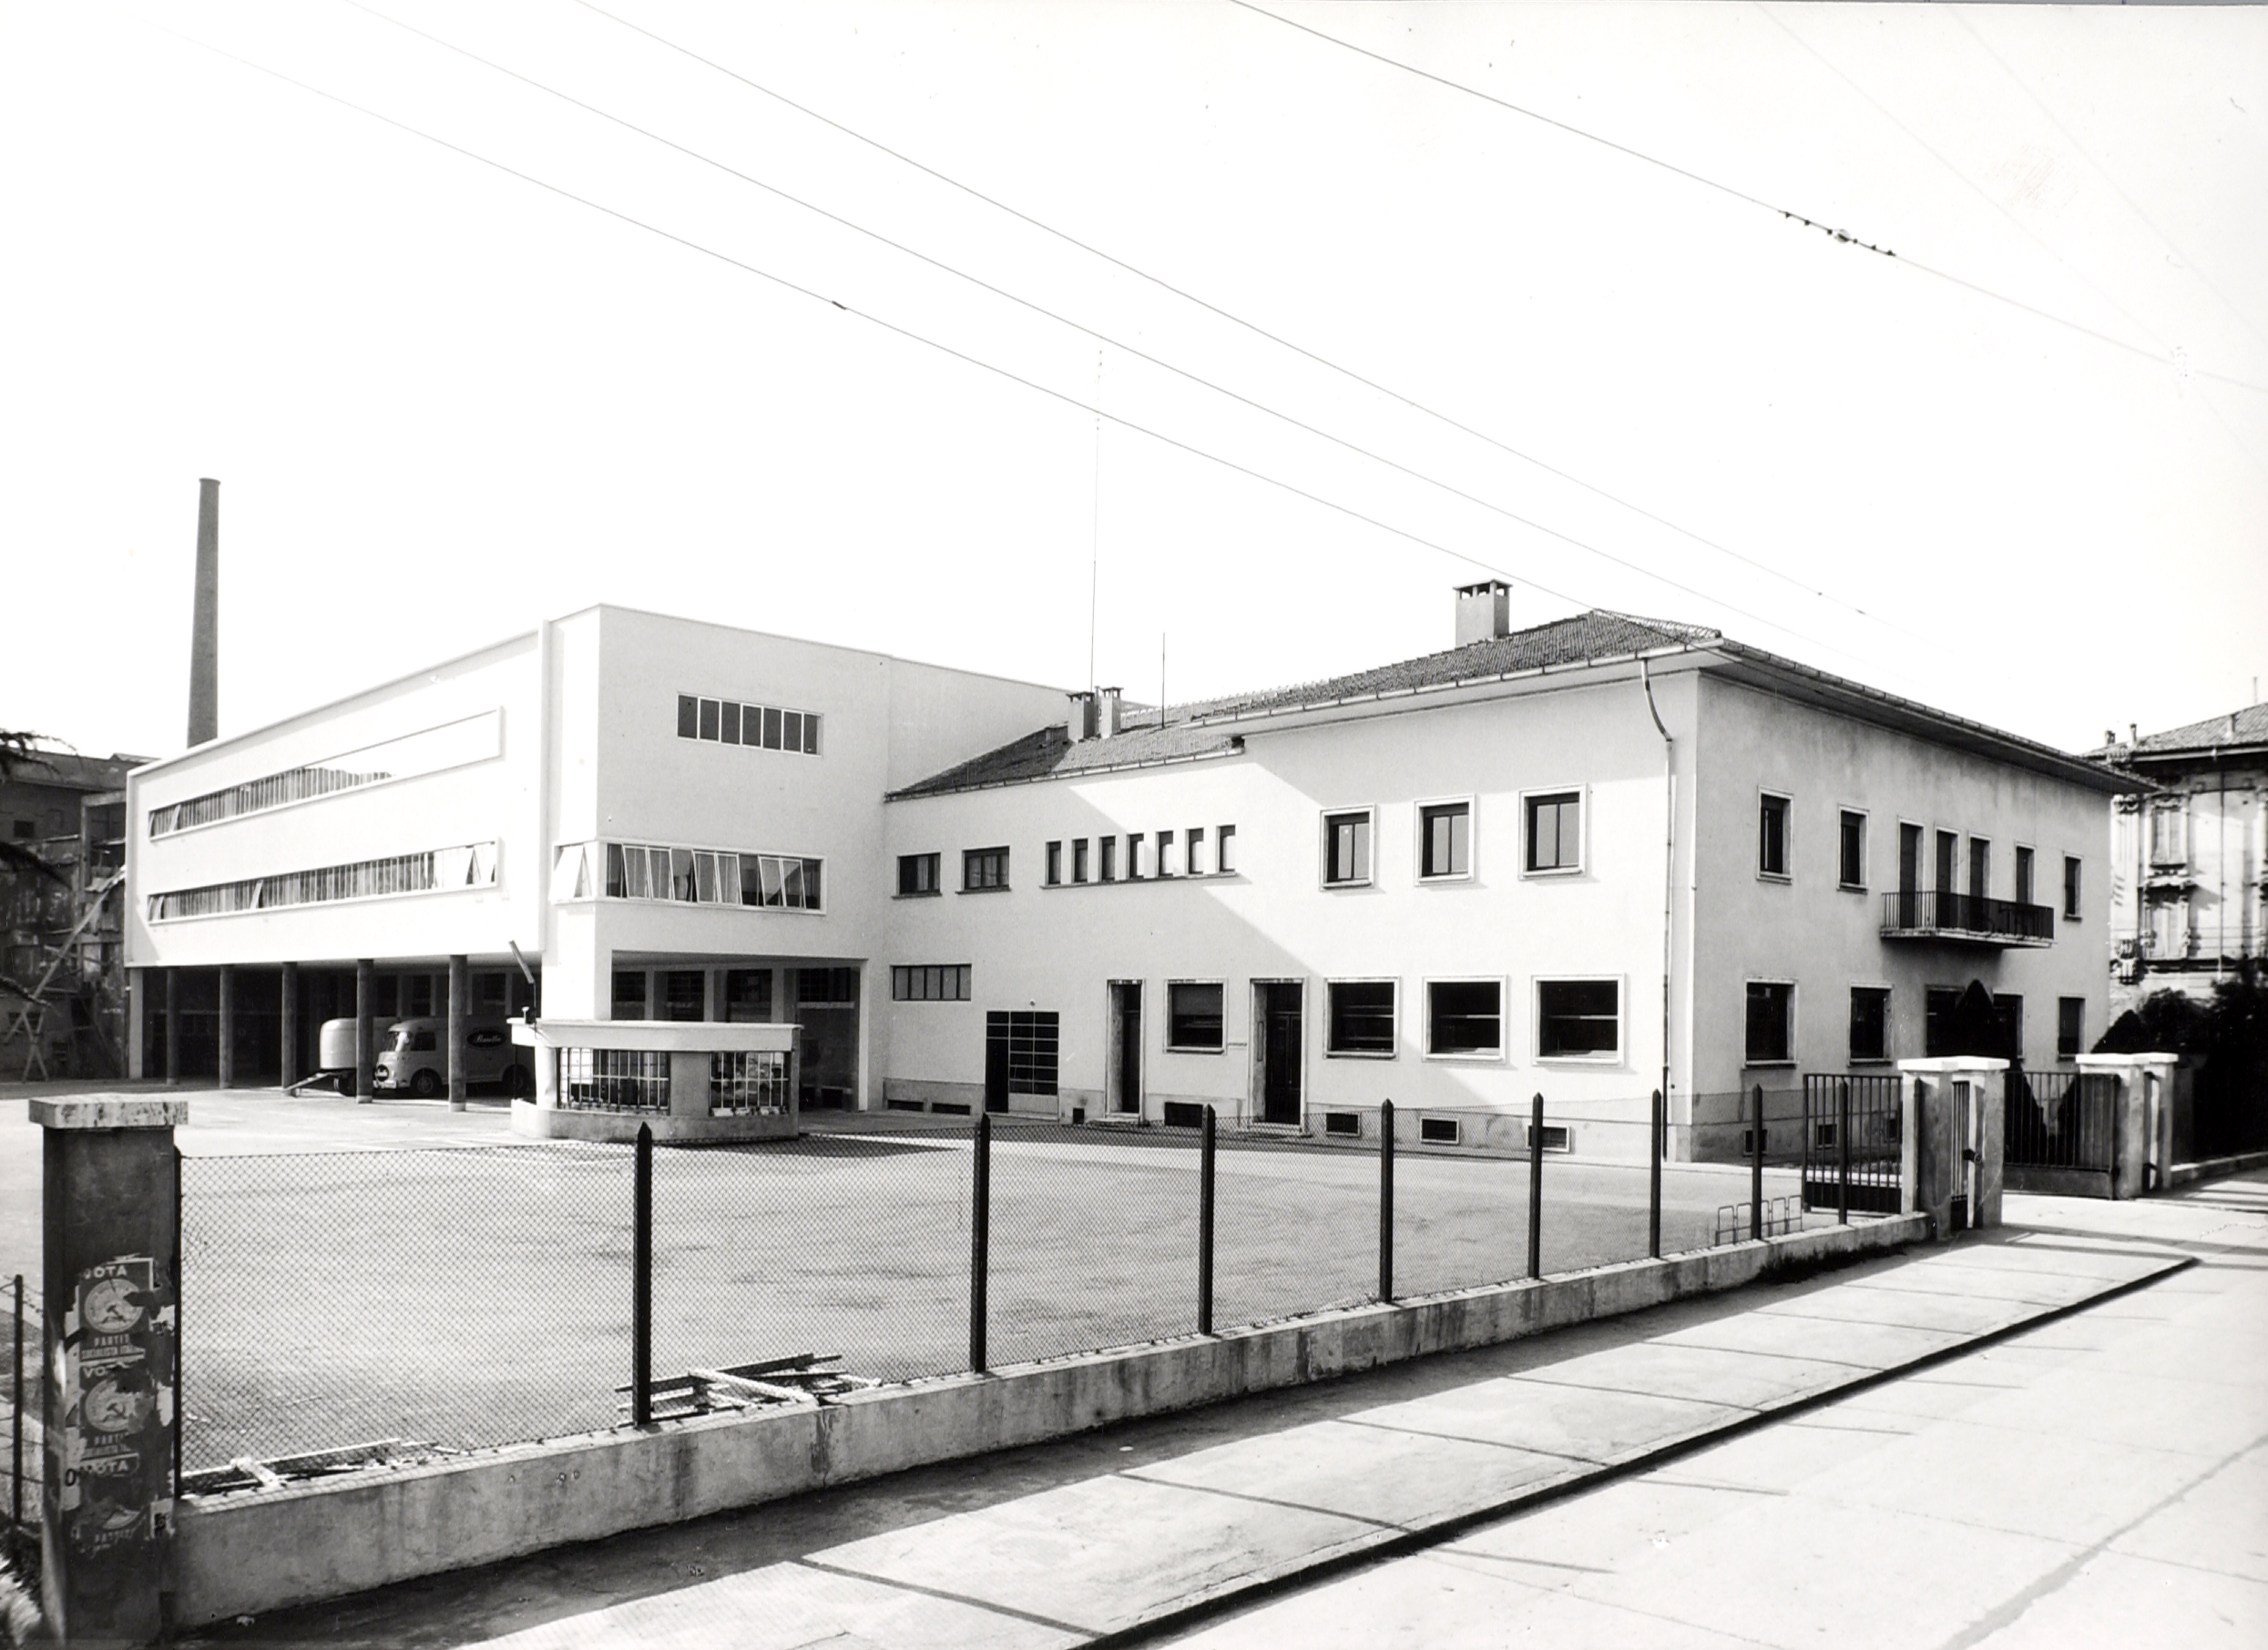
[{"x": 1573, "y": 1422}]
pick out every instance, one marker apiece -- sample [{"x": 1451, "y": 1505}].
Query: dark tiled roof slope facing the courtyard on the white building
[{"x": 1208, "y": 729}]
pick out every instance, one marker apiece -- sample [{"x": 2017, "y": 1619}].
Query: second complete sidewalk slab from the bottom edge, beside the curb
[{"x": 1364, "y": 1472}]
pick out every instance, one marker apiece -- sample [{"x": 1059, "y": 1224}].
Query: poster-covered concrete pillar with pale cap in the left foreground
[{"x": 110, "y": 1341}]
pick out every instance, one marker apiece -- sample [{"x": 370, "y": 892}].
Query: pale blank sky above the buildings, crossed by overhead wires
[{"x": 473, "y": 355}]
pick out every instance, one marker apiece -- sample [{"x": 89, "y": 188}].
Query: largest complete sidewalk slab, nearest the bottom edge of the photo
[{"x": 1106, "y": 1554}]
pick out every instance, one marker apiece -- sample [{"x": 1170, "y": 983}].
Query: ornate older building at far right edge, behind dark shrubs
[{"x": 2190, "y": 856}]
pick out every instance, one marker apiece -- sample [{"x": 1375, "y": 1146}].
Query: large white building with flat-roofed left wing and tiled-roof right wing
[{"x": 1444, "y": 881}]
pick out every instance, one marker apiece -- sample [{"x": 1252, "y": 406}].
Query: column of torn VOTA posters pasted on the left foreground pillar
[{"x": 117, "y": 1368}]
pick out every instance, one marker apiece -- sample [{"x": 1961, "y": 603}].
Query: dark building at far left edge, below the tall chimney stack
[{"x": 69, "y": 815}]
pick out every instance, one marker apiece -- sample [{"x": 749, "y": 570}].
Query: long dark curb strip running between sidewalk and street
[{"x": 1430, "y": 1536}]
